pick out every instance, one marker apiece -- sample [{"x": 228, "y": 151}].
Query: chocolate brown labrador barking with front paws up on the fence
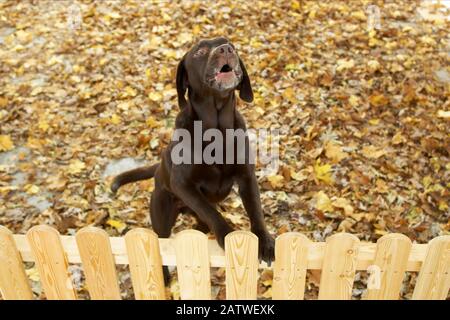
[{"x": 210, "y": 73}]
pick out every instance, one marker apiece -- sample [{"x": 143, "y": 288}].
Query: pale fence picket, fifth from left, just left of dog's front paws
[{"x": 191, "y": 247}]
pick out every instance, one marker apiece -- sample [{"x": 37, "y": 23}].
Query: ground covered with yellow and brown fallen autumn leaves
[{"x": 364, "y": 113}]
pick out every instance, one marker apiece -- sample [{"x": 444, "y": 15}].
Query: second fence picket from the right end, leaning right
[{"x": 390, "y": 262}]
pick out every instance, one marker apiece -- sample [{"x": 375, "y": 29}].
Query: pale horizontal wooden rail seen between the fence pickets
[{"x": 366, "y": 253}]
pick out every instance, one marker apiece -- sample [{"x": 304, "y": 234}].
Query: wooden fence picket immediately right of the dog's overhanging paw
[{"x": 291, "y": 260}]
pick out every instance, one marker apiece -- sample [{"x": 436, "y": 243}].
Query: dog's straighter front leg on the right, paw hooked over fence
[{"x": 249, "y": 192}]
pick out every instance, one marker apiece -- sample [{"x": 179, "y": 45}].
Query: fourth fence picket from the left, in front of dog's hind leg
[{"x": 145, "y": 264}]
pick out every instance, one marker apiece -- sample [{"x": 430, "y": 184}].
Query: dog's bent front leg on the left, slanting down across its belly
[{"x": 205, "y": 211}]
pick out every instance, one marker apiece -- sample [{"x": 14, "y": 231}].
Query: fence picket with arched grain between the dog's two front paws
[{"x": 241, "y": 256}]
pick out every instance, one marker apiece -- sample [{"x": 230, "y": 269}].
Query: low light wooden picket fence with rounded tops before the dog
[{"x": 338, "y": 259}]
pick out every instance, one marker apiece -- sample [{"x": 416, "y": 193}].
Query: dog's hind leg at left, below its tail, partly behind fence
[{"x": 163, "y": 214}]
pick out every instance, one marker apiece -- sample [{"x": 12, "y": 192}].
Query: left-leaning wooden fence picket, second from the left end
[{"x": 51, "y": 262}]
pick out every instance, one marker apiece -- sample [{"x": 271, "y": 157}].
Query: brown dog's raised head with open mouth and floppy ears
[{"x": 213, "y": 66}]
